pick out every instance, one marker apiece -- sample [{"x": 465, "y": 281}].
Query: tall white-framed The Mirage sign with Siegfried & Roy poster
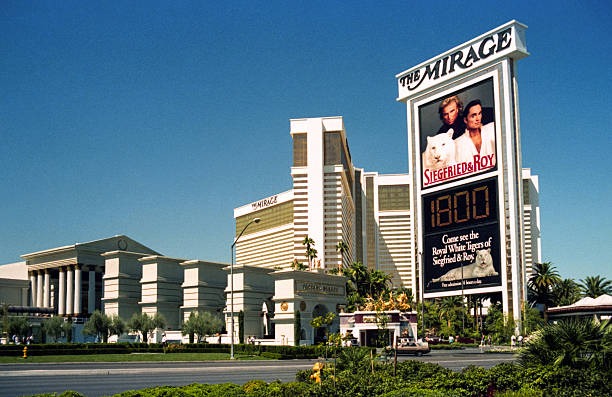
[{"x": 465, "y": 164}]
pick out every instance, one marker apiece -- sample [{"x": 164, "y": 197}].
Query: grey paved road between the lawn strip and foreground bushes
[{"x": 102, "y": 379}]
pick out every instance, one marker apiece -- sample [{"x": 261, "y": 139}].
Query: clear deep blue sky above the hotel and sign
[{"x": 156, "y": 119}]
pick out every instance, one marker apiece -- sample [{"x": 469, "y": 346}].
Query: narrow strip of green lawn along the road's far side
[{"x": 126, "y": 357}]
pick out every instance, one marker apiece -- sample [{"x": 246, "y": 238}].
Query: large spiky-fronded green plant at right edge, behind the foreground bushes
[{"x": 575, "y": 343}]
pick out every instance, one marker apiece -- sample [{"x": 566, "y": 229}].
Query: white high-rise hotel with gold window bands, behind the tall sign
[{"x": 333, "y": 201}]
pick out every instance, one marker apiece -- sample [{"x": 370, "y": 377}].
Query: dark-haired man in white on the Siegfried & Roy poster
[{"x": 477, "y": 139}]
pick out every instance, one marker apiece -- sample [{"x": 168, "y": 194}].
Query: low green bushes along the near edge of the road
[{"x": 413, "y": 378}]
